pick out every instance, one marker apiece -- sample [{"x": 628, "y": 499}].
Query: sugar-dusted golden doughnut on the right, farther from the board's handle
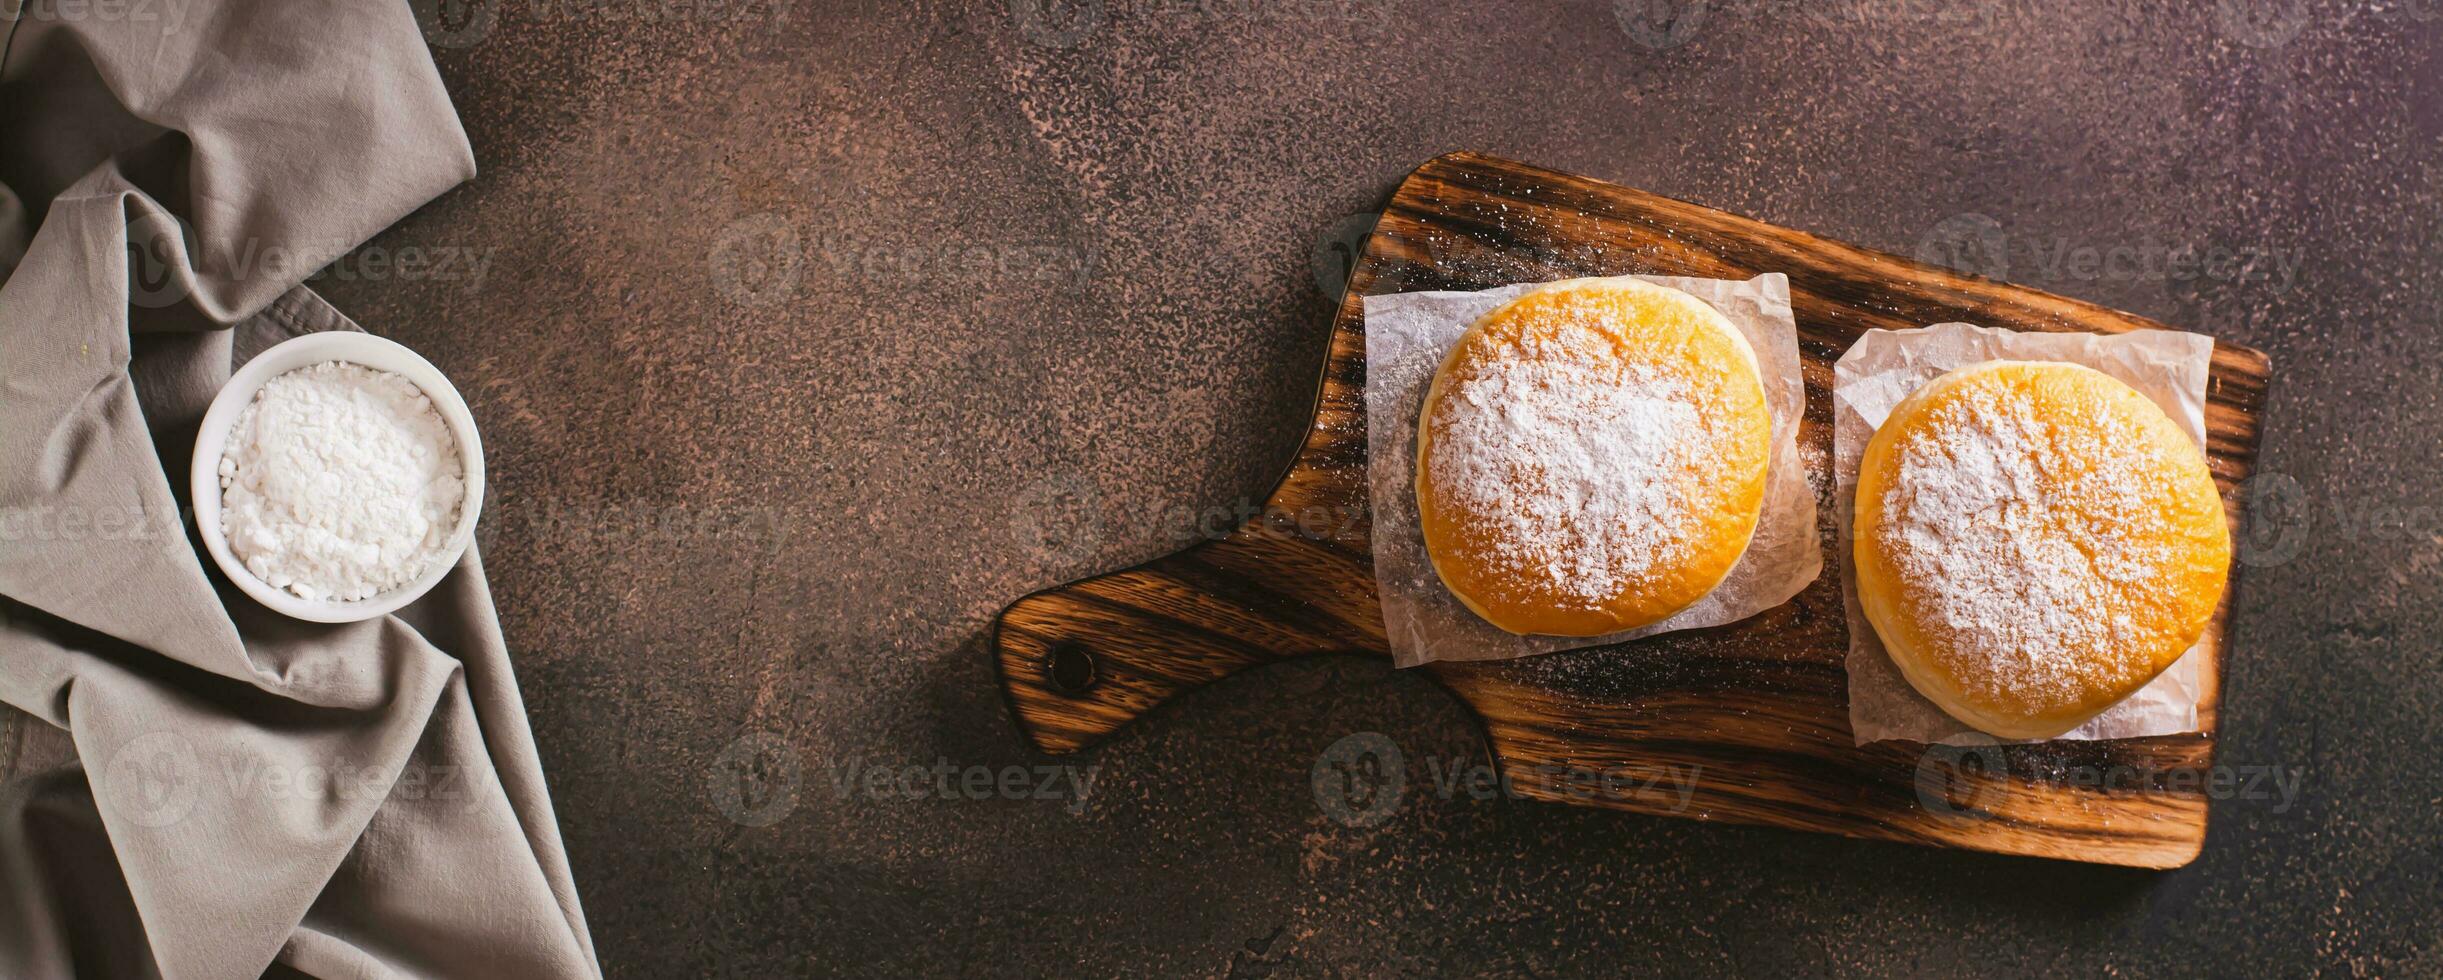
[{"x": 2034, "y": 544}]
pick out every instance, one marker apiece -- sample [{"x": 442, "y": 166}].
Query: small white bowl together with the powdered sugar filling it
[{"x": 338, "y": 478}]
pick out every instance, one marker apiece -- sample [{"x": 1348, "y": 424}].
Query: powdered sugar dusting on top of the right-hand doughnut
[{"x": 2019, "y": 541}]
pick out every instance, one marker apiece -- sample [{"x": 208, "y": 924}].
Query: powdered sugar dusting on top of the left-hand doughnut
[{"x": 1572, "y": 458}]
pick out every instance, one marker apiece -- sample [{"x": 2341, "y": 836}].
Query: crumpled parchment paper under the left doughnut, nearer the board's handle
[{"x": 1406, "y": 341}]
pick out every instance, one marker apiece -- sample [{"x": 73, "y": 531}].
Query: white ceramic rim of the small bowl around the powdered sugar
[{"x": 316, "y": 348}]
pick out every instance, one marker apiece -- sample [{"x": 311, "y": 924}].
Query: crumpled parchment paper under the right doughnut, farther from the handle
[{"x": 1887, "y": 368}]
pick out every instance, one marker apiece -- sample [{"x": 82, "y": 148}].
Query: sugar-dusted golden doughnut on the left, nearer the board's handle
[{"x": 1592, "y": 458}]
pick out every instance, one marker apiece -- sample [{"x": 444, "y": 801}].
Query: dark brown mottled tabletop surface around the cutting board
[{"x": 930, "y": 448}]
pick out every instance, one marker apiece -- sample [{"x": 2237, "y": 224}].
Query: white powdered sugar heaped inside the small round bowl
[{"x": 341, "y": 483}]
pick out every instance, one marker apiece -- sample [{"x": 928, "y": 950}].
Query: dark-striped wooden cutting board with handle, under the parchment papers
[{"x": 1755, "y": 710}]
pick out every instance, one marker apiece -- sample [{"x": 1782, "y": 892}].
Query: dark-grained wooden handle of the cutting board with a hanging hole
[{"x": 1086, "y": 659}]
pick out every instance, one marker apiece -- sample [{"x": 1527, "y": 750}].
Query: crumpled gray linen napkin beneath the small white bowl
[{"x": 199, "y": 788}]
